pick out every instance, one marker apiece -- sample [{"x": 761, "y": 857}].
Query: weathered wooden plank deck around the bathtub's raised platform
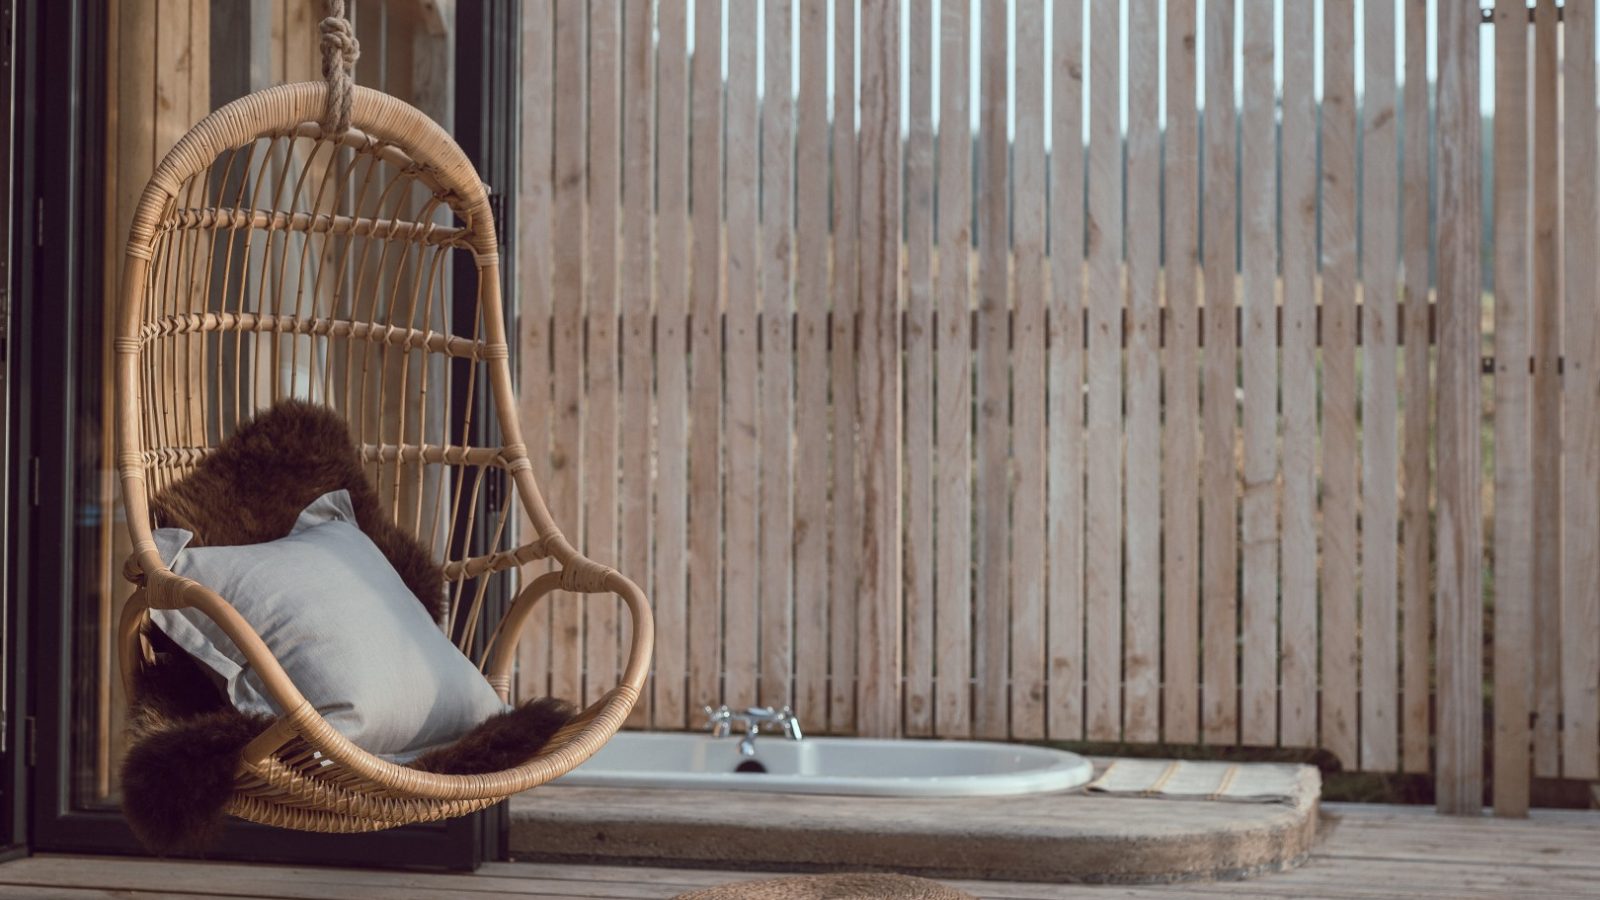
[{"x": 1369, "y": 853}]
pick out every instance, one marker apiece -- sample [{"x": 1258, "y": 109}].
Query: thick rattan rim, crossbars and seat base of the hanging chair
[{"x": 302, "y": 773}]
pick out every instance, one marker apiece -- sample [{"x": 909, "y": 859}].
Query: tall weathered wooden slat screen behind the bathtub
[{"x": 938, "y": 380}]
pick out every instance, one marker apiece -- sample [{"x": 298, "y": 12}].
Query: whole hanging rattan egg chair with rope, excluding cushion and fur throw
[{"x": 298, "y": 244}]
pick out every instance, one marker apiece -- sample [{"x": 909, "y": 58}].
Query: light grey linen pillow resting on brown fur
[{"x": 345, "y": 627}]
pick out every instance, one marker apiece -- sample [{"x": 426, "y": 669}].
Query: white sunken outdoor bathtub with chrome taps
[{"x": 831, "y": 766}]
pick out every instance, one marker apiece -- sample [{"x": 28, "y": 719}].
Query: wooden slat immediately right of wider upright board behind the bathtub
[{"x": 919, "y": 380}]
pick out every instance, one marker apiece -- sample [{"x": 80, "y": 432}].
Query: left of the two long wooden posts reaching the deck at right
[{"x": 1460, "y": 597}]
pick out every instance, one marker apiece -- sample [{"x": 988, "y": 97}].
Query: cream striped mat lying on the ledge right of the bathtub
[{"x": 1191, "y": 781}]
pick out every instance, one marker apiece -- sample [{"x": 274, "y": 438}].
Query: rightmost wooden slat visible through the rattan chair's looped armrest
[{"x": 601, "y": 353}]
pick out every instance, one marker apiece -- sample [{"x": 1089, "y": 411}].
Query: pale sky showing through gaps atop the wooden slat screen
[{"x": 1486, "y": 36}]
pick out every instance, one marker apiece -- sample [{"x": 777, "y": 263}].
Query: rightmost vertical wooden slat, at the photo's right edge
[{"x": 1582, "y": 412}]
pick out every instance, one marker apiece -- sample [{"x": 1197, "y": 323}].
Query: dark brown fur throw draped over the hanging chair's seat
[{"x": 185, "y": 736}]
